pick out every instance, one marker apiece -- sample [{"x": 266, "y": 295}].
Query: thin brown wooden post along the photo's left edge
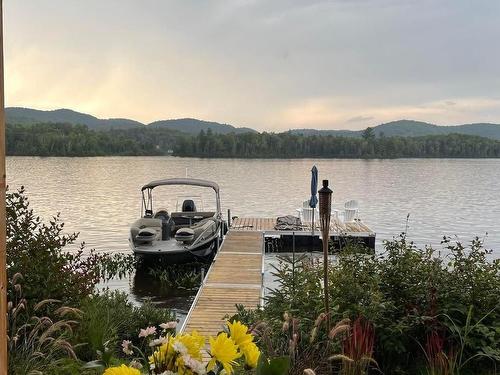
[{"x": 3, "y": 255}]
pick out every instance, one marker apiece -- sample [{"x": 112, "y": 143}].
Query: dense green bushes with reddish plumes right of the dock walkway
[{"x": 431, "y": 310}]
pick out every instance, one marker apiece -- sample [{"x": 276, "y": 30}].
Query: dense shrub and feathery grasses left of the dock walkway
[{"x": 56, "y": 316}]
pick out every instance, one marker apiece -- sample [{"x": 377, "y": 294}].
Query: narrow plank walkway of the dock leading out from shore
[{"x": 235, "y": 277}]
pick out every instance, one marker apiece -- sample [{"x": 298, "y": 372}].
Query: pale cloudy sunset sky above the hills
[{"x": 271, "y": 65}]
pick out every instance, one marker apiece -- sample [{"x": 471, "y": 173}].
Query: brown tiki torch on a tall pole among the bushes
[{"x": 325, "y": 209}]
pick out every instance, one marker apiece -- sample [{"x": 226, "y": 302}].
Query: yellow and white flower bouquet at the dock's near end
[{"x": 164, "y": 352}]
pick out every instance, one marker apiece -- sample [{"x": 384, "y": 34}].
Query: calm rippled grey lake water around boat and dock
[{"x": 99, "y": 197}]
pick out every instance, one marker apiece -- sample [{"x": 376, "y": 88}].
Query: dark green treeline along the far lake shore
[{"x": 78, "y": 140}]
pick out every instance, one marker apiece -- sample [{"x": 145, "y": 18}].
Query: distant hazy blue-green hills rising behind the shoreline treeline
[{"x": 404, "y": 128}]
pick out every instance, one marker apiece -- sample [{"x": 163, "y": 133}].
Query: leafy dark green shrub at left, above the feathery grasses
[{"x": 38, "y": 252}]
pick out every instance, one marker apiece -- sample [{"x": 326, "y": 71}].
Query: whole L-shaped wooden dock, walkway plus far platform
[{"x": 237, "y": 272}]
